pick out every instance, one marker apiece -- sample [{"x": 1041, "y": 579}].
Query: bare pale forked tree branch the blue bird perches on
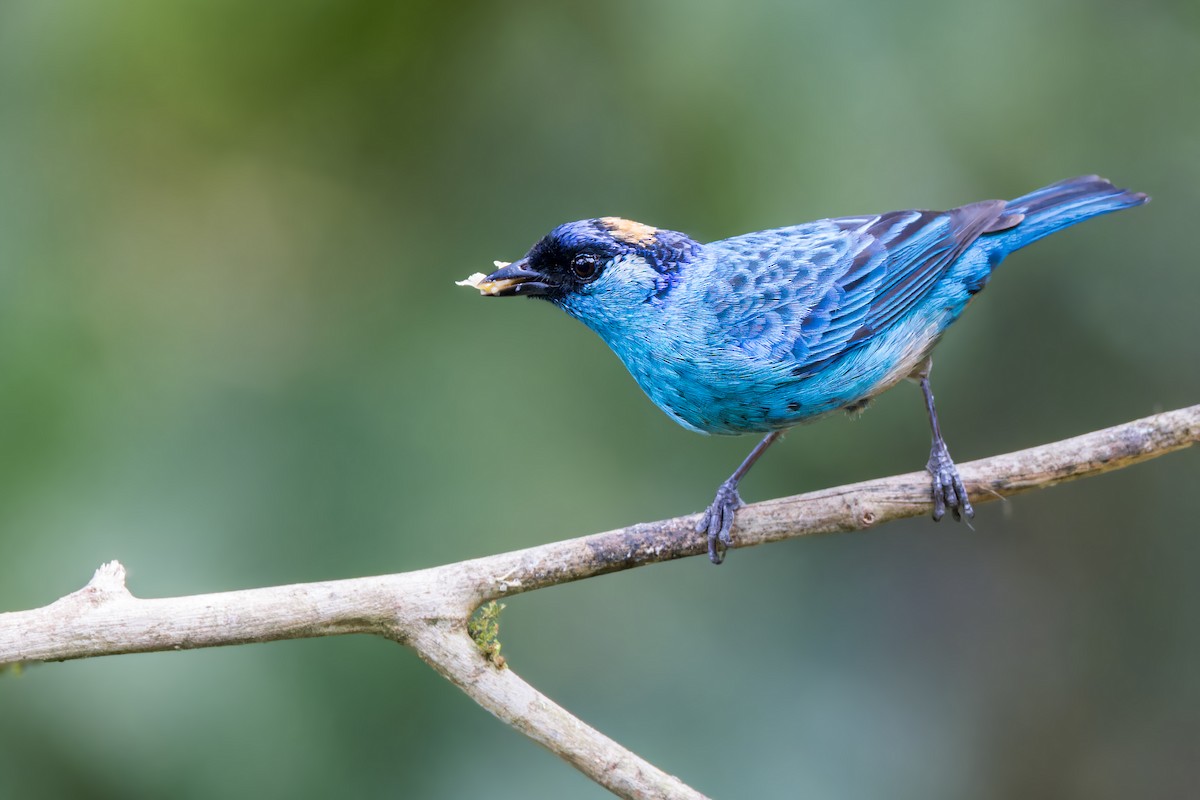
[{"x": 428, "y": 610}]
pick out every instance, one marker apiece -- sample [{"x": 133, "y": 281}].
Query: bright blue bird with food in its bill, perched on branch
[{"x": 766, "y": 330}]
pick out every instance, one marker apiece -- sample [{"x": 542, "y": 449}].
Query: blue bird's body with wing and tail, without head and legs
[{"x": 779, "y": 327}]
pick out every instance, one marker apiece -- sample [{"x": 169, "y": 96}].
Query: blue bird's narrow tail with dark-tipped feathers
[{"x": 1063, "y": 204}]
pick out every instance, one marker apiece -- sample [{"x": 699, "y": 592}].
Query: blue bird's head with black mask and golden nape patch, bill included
[{"x": 597, "y": 270}]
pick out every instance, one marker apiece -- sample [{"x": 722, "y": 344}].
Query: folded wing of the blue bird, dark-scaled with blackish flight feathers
[{"x": 814, "y": 292}]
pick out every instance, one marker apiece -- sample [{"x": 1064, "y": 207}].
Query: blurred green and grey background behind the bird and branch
[{"x": 232, "y": 356}]
